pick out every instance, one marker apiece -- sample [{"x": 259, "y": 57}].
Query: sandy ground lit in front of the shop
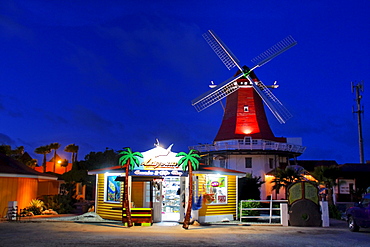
[{"x": 52, "y": 232}]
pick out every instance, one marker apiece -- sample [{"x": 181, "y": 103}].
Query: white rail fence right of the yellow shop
[{"x": 264, "y": 214}]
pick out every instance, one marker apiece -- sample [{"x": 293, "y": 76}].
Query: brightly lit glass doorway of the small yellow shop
[{"x": 171, "y": 199}]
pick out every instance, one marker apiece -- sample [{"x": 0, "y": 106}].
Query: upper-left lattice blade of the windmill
[{"x": 221, "y": 50}]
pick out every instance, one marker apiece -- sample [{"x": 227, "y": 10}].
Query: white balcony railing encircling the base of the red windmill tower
[{"x": 254, "y": 144}]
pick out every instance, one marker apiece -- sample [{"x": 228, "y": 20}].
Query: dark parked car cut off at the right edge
[{"x": 359, "y": 215}]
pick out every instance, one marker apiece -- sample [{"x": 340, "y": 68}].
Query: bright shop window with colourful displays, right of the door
[{"x": 216, "y": 189}]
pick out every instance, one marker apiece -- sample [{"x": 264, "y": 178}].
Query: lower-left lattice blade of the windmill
[{"x": 216, "y": 94}]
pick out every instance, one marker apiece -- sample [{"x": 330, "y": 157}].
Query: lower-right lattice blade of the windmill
[{"x": 275, "y": 106}]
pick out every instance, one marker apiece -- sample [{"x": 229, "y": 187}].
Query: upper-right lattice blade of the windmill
[{"x": 274, "y": 51}]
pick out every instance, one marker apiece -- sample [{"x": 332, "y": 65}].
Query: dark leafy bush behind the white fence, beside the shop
[{"x": 249, "y": 187}]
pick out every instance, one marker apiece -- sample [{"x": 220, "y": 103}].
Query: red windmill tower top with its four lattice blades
[{"x": 246, "y": 84}]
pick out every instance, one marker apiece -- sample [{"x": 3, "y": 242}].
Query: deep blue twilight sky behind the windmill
[{"x": 122, "y": 73}]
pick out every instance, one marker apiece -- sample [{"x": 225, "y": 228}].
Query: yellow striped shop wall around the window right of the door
[{"x": 222, "y": 209}]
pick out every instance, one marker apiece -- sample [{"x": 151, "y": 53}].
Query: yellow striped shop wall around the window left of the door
[{"x": 104, "y": 209}]
